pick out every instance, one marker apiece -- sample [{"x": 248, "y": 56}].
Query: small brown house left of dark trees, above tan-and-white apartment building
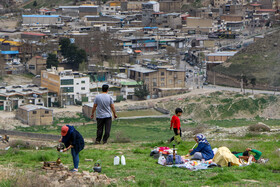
[{"x": 36, "y": 65}]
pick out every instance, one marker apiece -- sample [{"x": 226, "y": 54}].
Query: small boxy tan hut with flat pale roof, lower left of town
[{"x": 35, "y": 115}]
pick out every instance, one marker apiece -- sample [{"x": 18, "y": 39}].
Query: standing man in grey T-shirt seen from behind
[{"x": 104, "y": 106}]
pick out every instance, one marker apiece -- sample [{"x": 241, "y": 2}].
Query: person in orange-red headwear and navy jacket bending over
[{"x": 73, "y": 140}]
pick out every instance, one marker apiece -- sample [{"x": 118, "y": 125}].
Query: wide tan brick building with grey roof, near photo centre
[{"x": 158, "y": 78}]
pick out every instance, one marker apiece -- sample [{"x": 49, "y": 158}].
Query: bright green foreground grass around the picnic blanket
[{"x": 148, "y": 173}]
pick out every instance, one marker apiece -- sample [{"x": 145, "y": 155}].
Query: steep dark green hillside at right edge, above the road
[{"x": 260, "y": 60}]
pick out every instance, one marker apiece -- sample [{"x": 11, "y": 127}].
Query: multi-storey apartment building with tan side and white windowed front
[{"x": 70, "y": 86}]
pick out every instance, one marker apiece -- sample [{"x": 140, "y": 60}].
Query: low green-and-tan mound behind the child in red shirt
[{"x": 225, "y": 105}]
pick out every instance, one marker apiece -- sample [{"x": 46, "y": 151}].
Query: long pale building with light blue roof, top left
[{"x": 41, "y": 19}]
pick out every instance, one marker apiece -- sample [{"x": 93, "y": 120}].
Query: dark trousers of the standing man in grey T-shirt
[{"x": 101, "y": 122}]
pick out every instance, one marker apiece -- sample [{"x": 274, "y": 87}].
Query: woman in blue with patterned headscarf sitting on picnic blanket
[{"x": 203, "y": 150}]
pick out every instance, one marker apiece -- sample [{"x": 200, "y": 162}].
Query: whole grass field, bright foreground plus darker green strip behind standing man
[{"x": 155, "y": 132}]
